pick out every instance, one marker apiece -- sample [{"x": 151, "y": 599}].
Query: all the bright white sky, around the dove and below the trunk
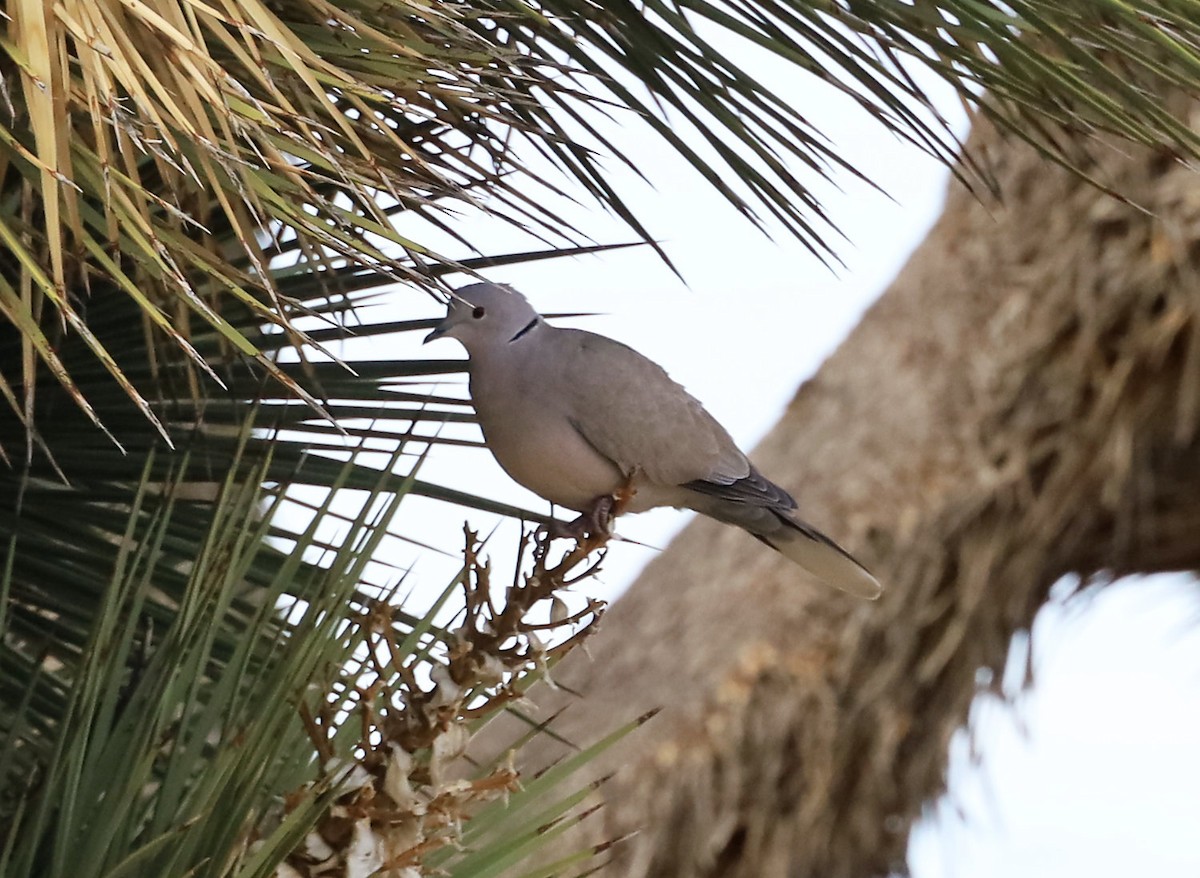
[{"x": 1094, "y": 772}]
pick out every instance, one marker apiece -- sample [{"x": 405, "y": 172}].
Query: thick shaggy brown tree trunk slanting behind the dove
[{"x": 1022, "y": 404}]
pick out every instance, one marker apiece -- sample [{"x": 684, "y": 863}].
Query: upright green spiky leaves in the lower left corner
[{"x": 175, "y": 730}]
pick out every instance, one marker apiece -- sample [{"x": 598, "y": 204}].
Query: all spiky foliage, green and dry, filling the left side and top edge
[{"x": 200, "y": 202}]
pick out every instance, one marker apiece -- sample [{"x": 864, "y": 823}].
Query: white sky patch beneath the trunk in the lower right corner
[{"x": 1094, "y": 772}]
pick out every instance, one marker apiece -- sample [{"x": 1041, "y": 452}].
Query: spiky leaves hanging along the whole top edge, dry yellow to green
[{"x": 170, "y": 152}]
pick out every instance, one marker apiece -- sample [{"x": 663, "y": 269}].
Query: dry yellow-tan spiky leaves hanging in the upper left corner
[{"x": 136, "y": 127}]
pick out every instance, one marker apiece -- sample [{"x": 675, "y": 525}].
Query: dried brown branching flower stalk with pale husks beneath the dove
[{"x": 419, "y": 695}]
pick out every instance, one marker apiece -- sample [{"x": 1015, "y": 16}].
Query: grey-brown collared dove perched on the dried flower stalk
[{"x": 577, "y": 418}]
